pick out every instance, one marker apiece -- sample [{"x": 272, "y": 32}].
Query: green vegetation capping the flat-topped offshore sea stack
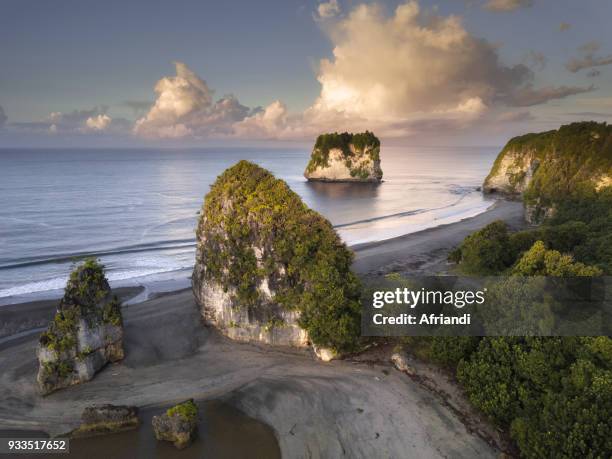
[{"x": 361, "y": 142}]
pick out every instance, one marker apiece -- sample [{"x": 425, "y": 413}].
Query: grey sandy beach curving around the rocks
[{"x": 346, "y": 408}]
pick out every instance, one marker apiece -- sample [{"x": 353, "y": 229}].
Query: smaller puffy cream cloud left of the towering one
[{"x": 185, "y": 107}]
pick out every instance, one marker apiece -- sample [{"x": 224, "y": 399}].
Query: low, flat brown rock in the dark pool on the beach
[{"x": 107, "y": 419}]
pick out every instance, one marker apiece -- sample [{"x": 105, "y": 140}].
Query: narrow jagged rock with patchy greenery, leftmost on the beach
[{"x": 85, "y": 334}]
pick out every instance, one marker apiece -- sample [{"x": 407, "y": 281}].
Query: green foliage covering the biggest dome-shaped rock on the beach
[{"x": 305, "y": 262}]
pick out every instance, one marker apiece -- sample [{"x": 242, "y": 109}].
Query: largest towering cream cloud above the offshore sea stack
[{"x": 417, "y": 64}]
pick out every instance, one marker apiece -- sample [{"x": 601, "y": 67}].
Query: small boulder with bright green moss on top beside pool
[{"x": 177, "y": 425}]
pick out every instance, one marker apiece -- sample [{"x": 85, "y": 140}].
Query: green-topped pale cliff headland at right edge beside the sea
[{"x": 544, "y": 168}]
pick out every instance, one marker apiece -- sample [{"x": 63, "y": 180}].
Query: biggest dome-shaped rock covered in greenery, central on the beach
[{"x": 269, "y": 269}]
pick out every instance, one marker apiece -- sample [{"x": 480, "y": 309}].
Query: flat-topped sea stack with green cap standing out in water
[{"x": 345, "y": 158}]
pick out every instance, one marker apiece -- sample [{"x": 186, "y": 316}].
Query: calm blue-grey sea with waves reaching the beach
[{"x": 136, "y": 209}]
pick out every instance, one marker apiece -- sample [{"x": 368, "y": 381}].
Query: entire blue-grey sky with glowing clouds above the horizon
[{"x": 198, "y": 73}]
